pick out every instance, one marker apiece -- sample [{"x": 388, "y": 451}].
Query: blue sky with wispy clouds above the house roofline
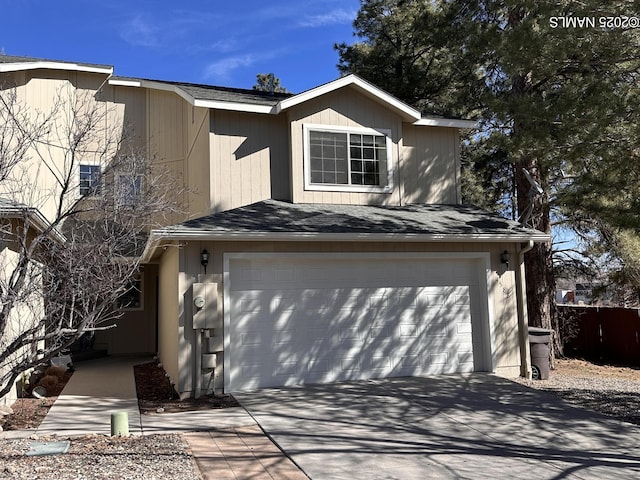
[{"x": 214, "y": 42}]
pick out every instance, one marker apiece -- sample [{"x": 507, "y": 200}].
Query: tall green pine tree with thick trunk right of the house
[{"x": 557, "y": 100}]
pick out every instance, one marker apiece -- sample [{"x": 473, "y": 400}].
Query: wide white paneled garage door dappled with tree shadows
[{"x": 295, "y": 320}]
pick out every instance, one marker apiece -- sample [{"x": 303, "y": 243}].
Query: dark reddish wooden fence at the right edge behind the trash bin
[{"x": 608, "y": 334}]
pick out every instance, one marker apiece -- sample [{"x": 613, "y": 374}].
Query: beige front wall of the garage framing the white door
[{"x": 501, "y": 306}]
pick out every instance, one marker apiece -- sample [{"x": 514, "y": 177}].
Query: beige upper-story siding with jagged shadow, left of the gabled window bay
[{"x": 243, "y": 148}]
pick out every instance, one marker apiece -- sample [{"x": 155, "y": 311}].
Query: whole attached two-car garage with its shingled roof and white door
[{"x": 316, "y": 293}]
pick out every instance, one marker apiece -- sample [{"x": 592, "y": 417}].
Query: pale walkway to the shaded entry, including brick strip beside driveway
[{"x": 226, "y": 443}]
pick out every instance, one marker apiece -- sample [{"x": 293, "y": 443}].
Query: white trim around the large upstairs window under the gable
[{"x": 308, "y": 127}]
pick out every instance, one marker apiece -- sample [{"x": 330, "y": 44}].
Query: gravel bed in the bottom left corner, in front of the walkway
[{"x": 98, "y": 457}]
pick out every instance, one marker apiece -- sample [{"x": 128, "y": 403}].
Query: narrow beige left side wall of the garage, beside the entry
[{"x": 168, "y": 312}]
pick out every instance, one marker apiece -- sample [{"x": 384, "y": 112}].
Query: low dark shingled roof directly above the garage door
[{"x": 272, "y": 218}]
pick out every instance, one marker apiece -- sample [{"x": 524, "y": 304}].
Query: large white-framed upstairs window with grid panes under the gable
[{"x": 347, "y": 159}]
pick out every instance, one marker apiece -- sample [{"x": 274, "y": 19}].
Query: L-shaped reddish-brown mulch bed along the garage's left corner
[{"x": 157, "y": 395}]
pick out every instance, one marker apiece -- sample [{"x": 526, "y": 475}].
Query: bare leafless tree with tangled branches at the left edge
[{"x": 70, "y": 242}]
